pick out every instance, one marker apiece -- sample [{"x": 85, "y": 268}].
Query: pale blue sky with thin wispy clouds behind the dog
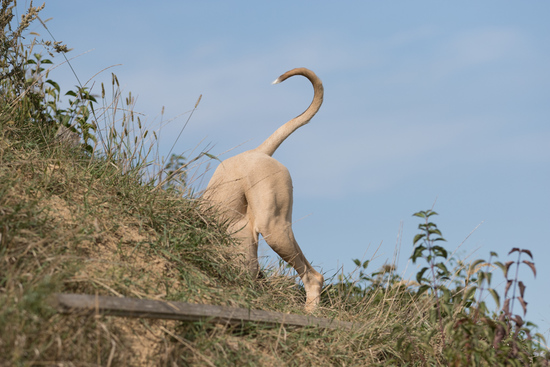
[{"x": 424, "y": 100}]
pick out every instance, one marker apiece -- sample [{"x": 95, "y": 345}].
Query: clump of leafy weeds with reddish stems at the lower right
[{"x": 460, "y": 329}]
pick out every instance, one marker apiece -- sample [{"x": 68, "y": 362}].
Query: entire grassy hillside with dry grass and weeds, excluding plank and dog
[{"x": 87, "y": 206}]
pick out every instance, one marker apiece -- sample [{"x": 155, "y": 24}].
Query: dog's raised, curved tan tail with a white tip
[{"x": 270, "y": 145}]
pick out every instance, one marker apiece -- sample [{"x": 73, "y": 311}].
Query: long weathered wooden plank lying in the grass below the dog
[{"x": 142, "y": 308}]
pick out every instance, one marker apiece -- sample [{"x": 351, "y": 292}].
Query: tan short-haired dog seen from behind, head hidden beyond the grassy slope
[{"x": 254, "y": 192}]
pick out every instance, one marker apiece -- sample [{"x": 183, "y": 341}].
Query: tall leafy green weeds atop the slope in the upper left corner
[{"x": 28, "y": 94}]
